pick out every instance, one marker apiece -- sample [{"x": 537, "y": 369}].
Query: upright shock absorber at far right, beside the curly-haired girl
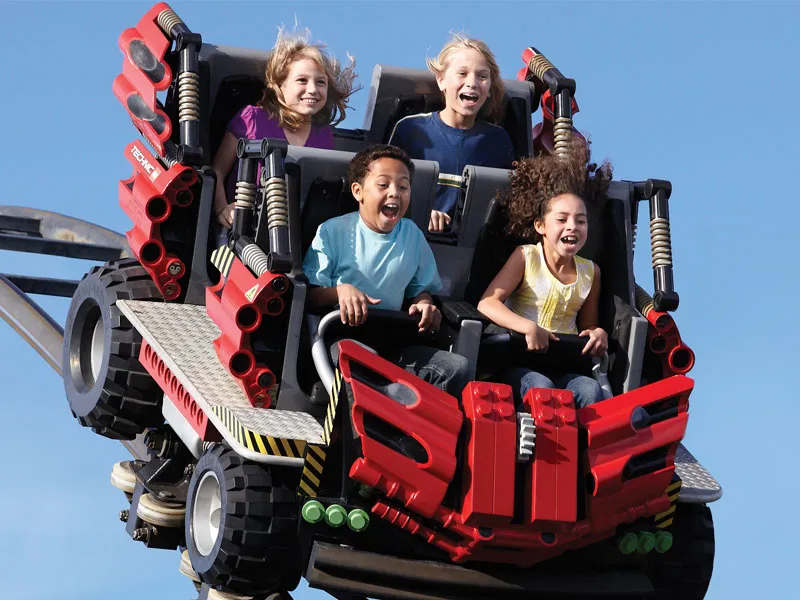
[{"x": 658, "y": 193}]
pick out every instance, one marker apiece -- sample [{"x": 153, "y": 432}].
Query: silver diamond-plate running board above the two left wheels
[{"x": 182, "y": 335}]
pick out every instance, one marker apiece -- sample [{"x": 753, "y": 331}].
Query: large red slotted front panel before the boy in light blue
[{"x": 434, "y": 421}]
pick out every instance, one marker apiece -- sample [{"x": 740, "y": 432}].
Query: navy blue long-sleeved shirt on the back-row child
[{"x": 427, "y": 137}]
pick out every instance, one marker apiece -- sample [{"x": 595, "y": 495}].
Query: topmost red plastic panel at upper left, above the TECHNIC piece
[{"x": 134, "y": 88}]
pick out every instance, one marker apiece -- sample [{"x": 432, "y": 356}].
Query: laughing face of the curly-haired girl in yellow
[{"x": 564, "y": 227}]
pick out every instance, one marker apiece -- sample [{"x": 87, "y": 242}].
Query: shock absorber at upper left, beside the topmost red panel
[{"x": 188, "y": 44}]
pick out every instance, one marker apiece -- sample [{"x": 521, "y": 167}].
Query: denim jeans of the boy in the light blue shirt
[{"x": 443, "y": 369}]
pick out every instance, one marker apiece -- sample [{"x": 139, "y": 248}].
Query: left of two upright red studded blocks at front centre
[{"x": 491, "y": 454}]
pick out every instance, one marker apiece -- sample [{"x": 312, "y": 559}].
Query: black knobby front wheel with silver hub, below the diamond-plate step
[{"x": 254, "y": 549}]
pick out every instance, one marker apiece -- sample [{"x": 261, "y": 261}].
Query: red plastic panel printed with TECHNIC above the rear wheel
[{"x": 148, "y": 198}]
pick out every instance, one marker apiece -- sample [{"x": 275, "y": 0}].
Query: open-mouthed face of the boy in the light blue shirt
[{"x": 384, "y": 194}]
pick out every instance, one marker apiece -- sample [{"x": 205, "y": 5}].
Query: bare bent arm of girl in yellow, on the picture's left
[{"x": 492, "y": 303}]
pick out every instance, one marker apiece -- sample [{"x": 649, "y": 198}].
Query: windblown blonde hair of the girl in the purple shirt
[{"x": 293, "y": 47}]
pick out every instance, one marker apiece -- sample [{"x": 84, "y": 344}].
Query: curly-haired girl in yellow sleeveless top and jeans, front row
[{"x": 544, "y": 288}]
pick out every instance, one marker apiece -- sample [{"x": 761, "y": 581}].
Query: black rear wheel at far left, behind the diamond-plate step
[{"x": 106, "y": 386}]
